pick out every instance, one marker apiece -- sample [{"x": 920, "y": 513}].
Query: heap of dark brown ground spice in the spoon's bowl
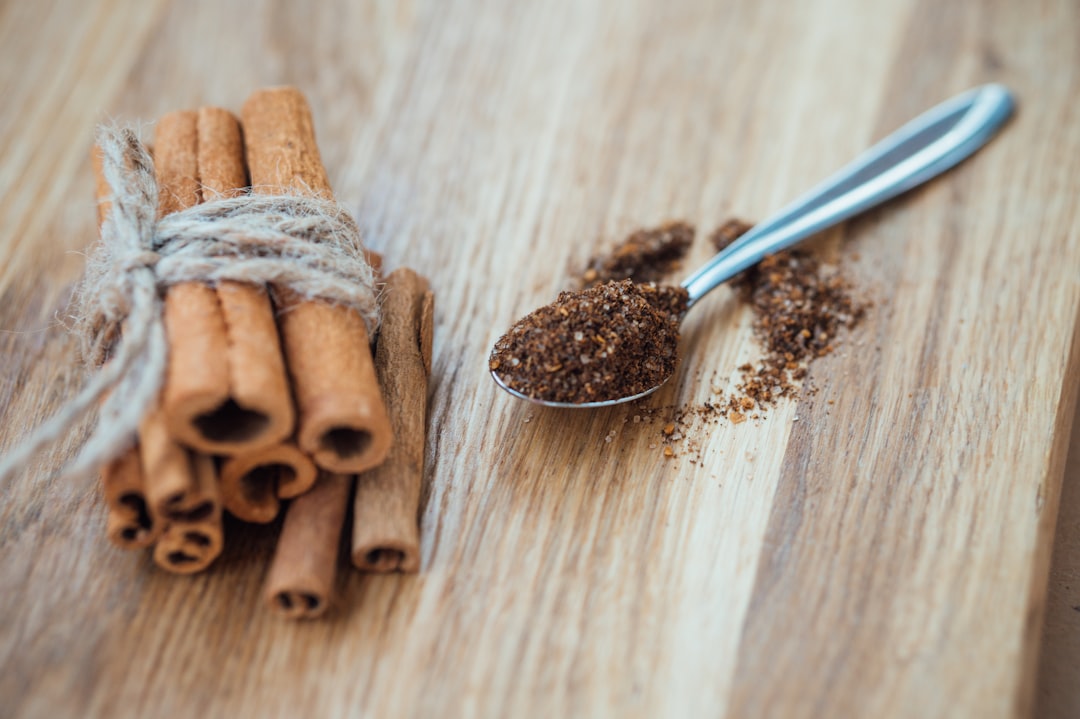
[{"x": 601, "y": 344}]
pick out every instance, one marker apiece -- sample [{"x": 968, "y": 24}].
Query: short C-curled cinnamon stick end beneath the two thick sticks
[{"x": 253, "y": 484}]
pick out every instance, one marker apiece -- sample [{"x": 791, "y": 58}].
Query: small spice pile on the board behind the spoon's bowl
[{"x": 644, "y": 256}]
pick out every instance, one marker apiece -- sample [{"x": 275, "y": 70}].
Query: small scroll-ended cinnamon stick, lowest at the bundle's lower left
[{"x": 190, "y": 545}]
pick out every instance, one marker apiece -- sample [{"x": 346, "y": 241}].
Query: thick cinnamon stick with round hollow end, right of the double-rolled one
[{"x": 342, "y": 420}]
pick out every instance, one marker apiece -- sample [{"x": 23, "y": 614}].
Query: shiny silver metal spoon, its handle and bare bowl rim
[{"x": 935, "y": 142}]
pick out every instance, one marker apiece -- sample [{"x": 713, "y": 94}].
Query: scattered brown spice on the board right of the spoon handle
[{"x": 799, "y": 311}]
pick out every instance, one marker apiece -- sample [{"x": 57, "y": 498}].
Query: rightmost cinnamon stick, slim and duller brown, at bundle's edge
[{"x": 386, "y": 536}]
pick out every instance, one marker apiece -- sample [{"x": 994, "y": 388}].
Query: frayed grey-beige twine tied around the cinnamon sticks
[{"x": 308, "y": 248}]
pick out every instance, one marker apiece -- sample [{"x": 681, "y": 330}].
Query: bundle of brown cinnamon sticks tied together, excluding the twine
[{"x": 274, "y": 403}]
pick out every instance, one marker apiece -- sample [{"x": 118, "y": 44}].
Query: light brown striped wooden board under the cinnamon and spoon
[{"x": 885, "y": 555}]
